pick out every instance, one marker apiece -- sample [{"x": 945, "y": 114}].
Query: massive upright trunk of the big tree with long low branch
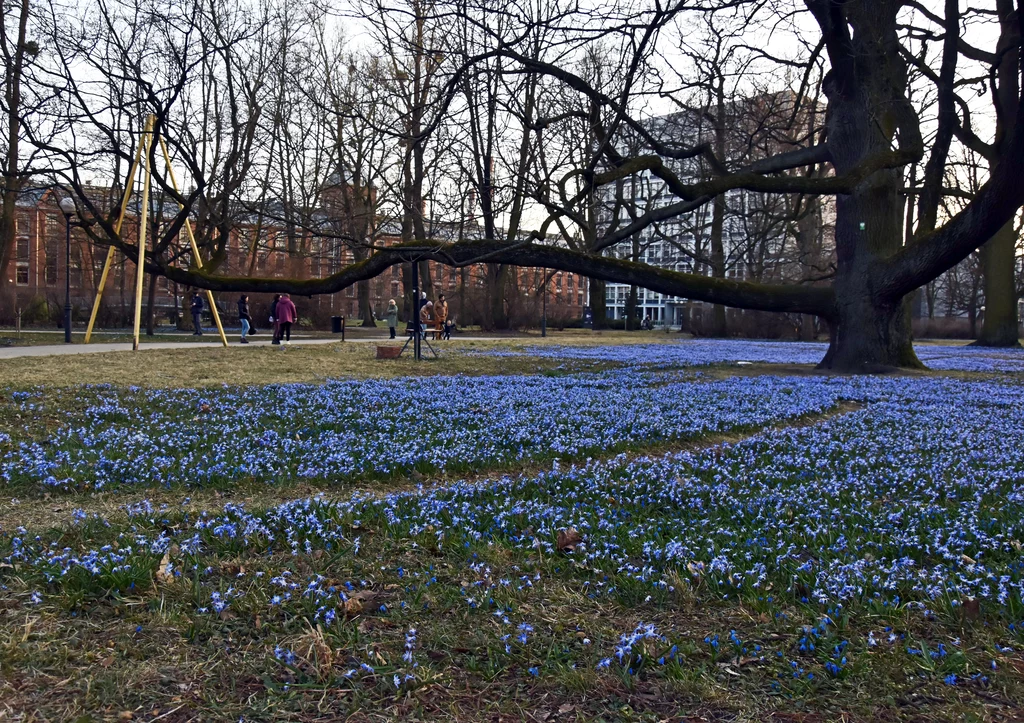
[{"x": 872, "y": 330}]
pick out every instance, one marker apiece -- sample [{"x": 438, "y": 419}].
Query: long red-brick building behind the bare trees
[{"x": 257, "y": 247}]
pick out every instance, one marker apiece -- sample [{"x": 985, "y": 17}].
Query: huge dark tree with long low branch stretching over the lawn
[{"x": 873, "y": 134}]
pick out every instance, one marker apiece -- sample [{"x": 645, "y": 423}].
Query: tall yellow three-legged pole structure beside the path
[{"x": 143, "y": 158}]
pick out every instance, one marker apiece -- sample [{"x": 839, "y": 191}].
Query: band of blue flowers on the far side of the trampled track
[{"x": 375, "y": 430}]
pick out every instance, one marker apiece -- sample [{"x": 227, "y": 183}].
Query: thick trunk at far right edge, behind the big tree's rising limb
[{"x": 1000, "y": 327}]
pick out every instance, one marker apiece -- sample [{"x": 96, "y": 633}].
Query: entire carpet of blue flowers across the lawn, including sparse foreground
[{"x": 855, "y": 550}]
